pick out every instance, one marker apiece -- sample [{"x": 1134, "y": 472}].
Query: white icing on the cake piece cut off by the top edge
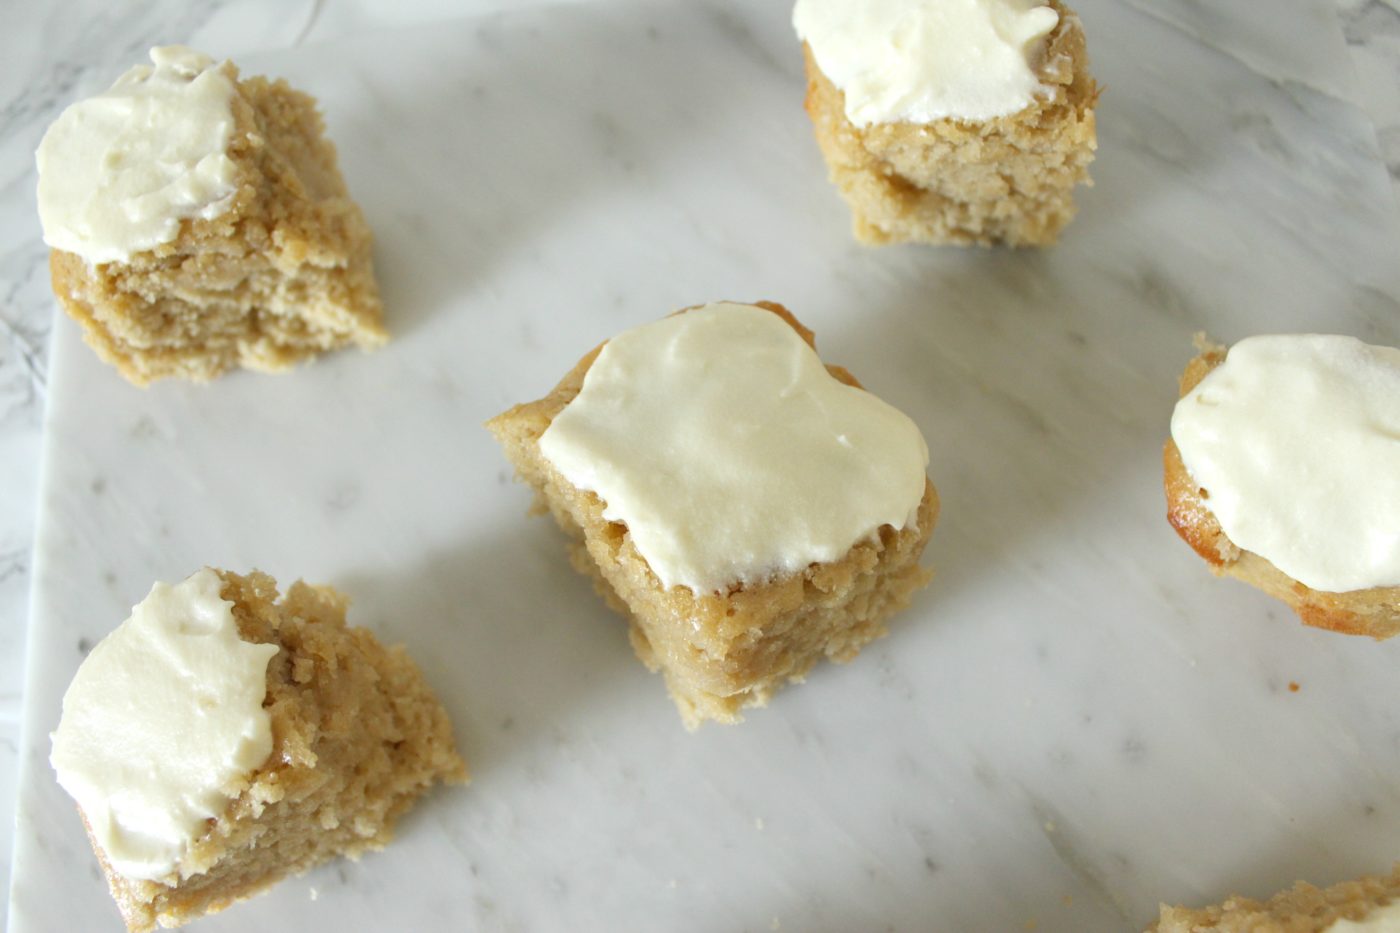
[{"x": 923, "y": 61}]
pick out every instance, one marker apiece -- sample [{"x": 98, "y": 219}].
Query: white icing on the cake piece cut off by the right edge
[{"x": 1297, "y": 442}]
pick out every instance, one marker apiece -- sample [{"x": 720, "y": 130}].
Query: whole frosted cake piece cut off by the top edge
[{"x": 951, "y": 123}]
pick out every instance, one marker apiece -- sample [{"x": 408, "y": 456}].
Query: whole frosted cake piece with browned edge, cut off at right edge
[{"x": 1283, "y": 471}]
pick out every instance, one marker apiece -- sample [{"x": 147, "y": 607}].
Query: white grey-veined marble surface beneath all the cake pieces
[{"x": 1074, "y": 722}]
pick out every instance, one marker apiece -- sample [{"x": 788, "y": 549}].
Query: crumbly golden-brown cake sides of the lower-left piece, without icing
[{"x": 358, "y": 739}]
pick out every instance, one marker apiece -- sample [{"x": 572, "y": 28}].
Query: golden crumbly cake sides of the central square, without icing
[{"x": 720, "y": 654}]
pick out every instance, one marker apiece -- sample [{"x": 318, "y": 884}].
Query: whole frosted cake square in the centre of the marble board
[{"x": 748, "y": 509}]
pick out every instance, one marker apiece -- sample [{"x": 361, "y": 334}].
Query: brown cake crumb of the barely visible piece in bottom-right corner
[{"x": 1300, "y": 910}]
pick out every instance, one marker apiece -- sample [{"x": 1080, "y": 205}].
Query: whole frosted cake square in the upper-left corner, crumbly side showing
[{"x": 199, "y": 223}]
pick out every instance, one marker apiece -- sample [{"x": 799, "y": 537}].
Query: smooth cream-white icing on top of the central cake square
[{"x": 731, "y": 455}]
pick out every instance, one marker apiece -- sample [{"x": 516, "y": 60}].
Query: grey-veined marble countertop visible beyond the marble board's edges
[{"x": 54, "y": 54}]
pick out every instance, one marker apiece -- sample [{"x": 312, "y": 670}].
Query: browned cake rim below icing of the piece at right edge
[{"x": 1375, "y": 611}]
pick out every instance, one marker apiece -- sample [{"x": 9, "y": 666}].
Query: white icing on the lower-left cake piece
[{"x": 162, "y": 719}]
